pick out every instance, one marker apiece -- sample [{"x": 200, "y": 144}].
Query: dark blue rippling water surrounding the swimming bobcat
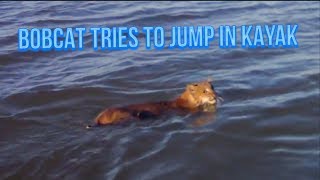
[{"x": 266, "y": 128}]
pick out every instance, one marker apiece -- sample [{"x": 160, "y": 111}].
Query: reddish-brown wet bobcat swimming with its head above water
[{"x": 195, "y": 96}]
